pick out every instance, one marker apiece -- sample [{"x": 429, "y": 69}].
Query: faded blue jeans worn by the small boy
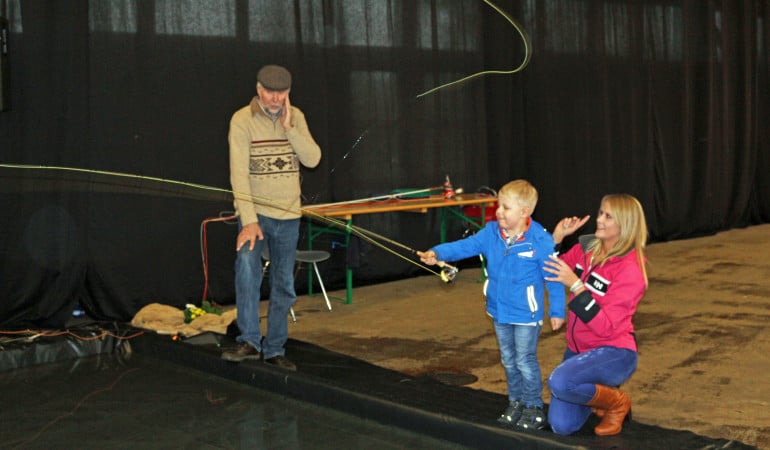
[{"x": 518, "y": 352}]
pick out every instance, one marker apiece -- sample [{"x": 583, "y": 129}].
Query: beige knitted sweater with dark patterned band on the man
[{"x": 265, "y": 162}]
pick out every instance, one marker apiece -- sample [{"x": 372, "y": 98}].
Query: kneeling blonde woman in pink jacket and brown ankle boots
[{"x": 605, "y": 273}]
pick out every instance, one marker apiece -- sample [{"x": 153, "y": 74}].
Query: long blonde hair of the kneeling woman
[{"x": 628, "y": 213}]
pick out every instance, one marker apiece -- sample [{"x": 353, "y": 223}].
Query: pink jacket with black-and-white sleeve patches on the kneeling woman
[{"x": 617, "y": 287}]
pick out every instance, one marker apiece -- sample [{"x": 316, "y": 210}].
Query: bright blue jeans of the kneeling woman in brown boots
[{"x": 573, "y": 383}]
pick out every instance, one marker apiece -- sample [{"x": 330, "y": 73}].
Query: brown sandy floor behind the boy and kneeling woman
[{"x": 704, "y": 345}]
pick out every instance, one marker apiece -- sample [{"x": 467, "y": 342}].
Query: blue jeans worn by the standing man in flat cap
[{"x": 281, "y": 237}]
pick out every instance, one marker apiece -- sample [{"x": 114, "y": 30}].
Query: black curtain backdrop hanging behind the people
[{"x": 666, "y": 100}]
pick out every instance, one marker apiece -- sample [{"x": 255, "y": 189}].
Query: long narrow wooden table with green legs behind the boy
[{"x": 450, "y": 208}]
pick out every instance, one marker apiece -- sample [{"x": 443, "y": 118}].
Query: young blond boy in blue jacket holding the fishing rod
[{"x": 515, "y": 249}]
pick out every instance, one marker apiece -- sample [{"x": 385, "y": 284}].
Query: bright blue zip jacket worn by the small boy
[{"x": 516, "y": 279}]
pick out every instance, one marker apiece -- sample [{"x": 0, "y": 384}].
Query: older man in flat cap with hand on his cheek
[{"x": 269, "y": 140}]
